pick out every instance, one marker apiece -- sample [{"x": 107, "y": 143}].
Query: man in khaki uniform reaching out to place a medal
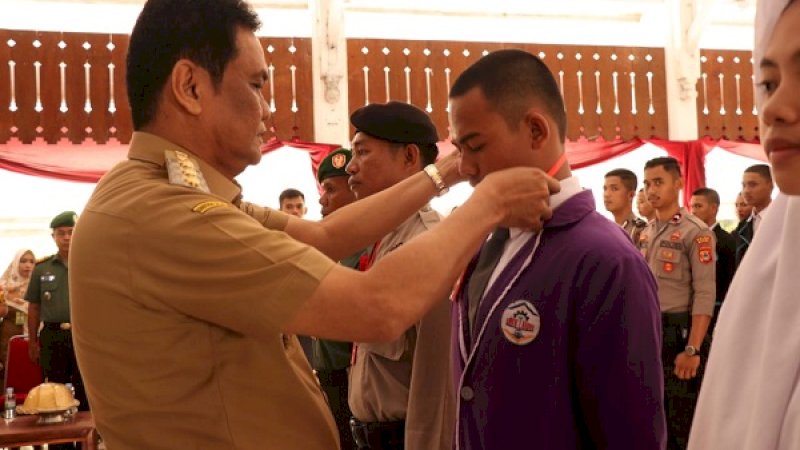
[{"x": 181, "y": 292}]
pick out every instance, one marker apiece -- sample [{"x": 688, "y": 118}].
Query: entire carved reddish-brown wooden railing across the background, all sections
[{"x": 56, "y": 86}]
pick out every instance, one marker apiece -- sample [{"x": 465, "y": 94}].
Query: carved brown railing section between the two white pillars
[{"x": 610, "y": 92}]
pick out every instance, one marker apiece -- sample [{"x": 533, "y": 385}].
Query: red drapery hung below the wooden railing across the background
[{"x": 88, "y": 162}]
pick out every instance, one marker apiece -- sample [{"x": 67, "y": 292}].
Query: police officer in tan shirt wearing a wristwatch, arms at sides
[{"x": 679, "y": 248}]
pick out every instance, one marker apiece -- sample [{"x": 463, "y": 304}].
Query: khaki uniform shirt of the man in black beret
[{"x": 410, "y": 378}]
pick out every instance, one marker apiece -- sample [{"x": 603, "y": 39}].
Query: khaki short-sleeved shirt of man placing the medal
[{"x": 178, "y": 302}]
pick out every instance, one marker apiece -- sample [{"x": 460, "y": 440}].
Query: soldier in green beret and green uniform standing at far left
[{"x": 48, "y": 295}]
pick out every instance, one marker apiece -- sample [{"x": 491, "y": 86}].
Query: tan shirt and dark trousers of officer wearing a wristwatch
[{"x": 680, "y": 253}]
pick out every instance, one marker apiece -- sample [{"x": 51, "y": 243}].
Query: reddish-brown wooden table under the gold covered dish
[{"x": 23, "y": 430}]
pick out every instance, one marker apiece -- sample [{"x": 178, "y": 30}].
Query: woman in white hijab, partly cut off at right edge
[{"x": 750, "y": 398}]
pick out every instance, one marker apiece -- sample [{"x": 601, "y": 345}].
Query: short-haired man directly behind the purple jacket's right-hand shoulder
[{"x": 619, "y": 189}]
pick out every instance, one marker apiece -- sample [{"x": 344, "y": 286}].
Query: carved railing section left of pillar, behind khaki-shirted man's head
[{"x": 56, "y": 86}]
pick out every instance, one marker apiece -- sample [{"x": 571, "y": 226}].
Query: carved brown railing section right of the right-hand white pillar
[{"x": 725, "y": 96}]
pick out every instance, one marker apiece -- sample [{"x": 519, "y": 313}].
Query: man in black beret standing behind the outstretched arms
[{"x": 400, "y": 392}]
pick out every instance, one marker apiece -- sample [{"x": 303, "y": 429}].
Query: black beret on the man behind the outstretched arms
[{"x": 395, "y": 122}]
